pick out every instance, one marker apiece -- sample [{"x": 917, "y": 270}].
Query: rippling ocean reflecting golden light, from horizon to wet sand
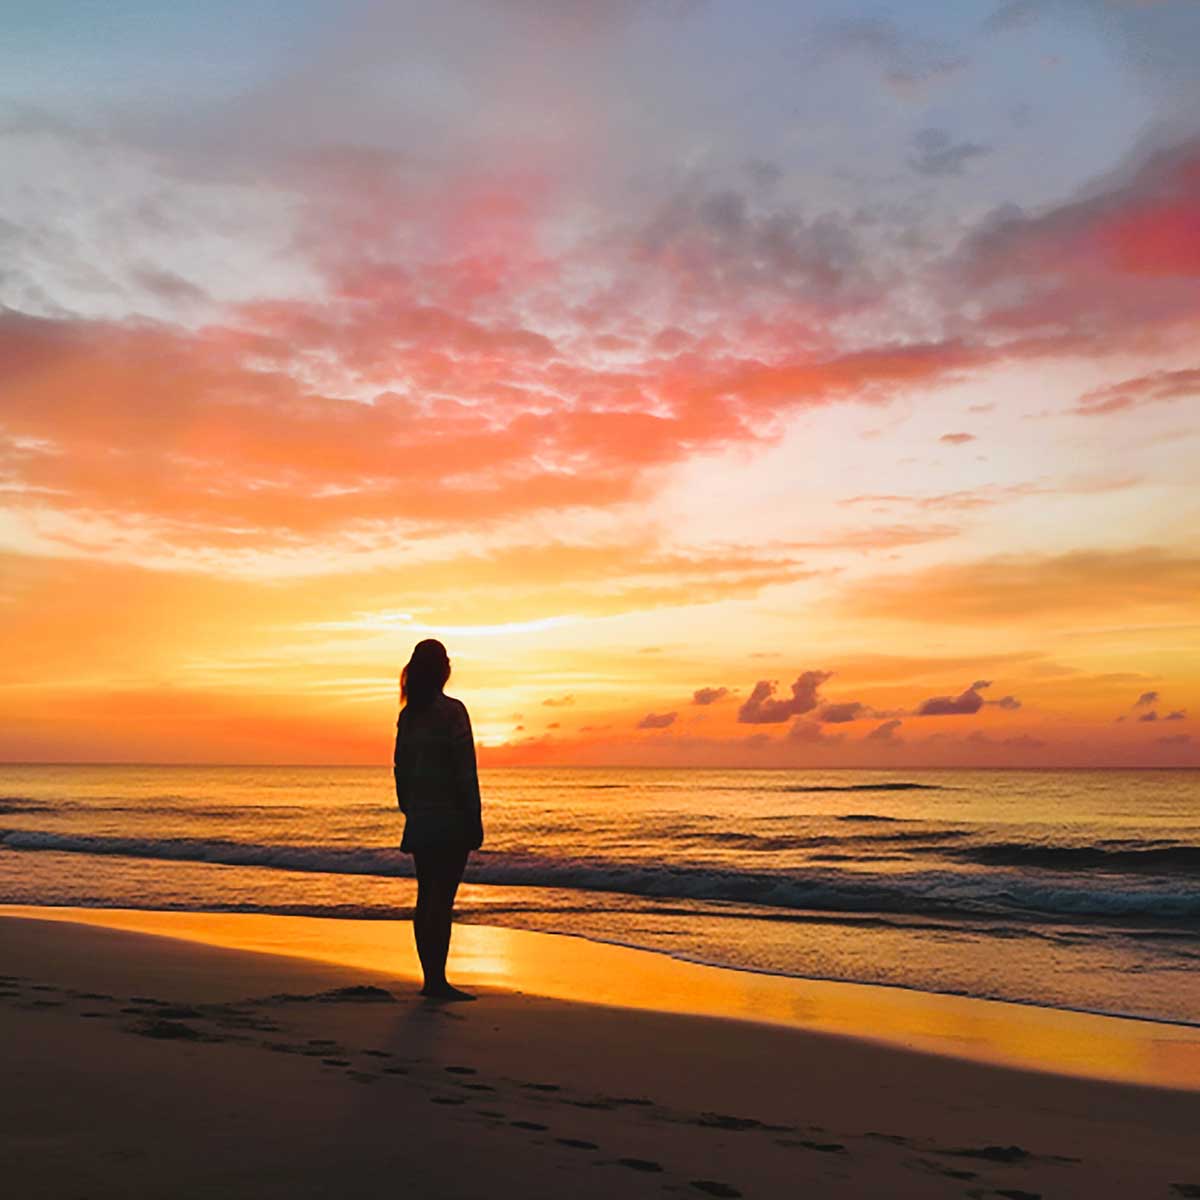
[{"x": 1073, "y": 890}]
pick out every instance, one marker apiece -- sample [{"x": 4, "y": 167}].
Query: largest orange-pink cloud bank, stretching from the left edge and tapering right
[{"x": 299, "y": 419}]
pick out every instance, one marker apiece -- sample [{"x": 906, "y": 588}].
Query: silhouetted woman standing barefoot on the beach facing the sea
[{"x": 437, "y": 789}]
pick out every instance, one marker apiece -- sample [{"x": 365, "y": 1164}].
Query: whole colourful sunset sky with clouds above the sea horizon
[{"x": 796, "y": 385}]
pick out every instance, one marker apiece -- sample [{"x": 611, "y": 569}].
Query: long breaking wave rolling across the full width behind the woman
[{"x": 953, "y": 893}]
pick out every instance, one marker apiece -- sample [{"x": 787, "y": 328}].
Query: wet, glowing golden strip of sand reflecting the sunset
[{"x": 578, "y": 970}]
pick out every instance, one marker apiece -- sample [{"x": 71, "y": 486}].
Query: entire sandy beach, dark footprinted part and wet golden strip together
[{"x": 139, "y": 1065}]
